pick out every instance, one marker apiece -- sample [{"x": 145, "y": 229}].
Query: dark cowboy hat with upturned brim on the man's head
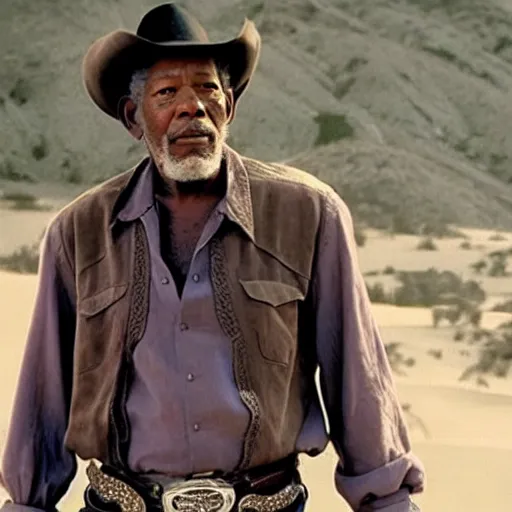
[{"x": 166, "y": 31}]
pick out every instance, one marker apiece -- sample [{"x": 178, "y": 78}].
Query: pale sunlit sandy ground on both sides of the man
[{"x": 461, "y": 431}]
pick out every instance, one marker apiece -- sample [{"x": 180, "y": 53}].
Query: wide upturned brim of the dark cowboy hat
[{"x": 111, "y": 61}]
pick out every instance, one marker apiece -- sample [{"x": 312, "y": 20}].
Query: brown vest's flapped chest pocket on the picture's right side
[{"x": 272, "y": 311}]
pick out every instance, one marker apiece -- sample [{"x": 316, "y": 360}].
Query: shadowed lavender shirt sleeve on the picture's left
[{"x": 37, "y": 469}]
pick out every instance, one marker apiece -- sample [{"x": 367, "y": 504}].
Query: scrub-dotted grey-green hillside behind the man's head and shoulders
[{"x": 403, "y": 105}]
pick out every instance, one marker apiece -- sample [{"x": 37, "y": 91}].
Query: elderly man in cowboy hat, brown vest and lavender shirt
[{"x": 185, "y": 306}]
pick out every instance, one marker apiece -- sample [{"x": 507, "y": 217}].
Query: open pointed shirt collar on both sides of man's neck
[{"x": 137, "y": 197}]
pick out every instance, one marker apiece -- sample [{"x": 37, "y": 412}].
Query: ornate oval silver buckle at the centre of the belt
[{"x": 201, "y": 495}]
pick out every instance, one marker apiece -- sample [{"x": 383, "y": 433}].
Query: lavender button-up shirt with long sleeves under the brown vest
[{"x": 185, "y": 411}]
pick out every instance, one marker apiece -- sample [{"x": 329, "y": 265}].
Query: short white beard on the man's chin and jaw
[{"x": 190, "y": 168}]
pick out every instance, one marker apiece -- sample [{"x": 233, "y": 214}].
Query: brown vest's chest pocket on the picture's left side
[{"x": 100, "y": 326}]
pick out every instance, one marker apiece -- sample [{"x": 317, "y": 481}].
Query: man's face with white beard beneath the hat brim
[{"x": 184, "y": 114}]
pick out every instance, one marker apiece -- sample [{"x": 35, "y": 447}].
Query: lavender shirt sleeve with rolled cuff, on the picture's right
[{"x": 376, "y": 469}]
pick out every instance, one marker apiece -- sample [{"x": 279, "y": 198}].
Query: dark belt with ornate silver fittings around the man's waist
[{"x": 273, "y": 487}]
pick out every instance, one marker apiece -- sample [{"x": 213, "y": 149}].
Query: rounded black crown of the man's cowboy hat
[{"x": 168, "y": 23}]
